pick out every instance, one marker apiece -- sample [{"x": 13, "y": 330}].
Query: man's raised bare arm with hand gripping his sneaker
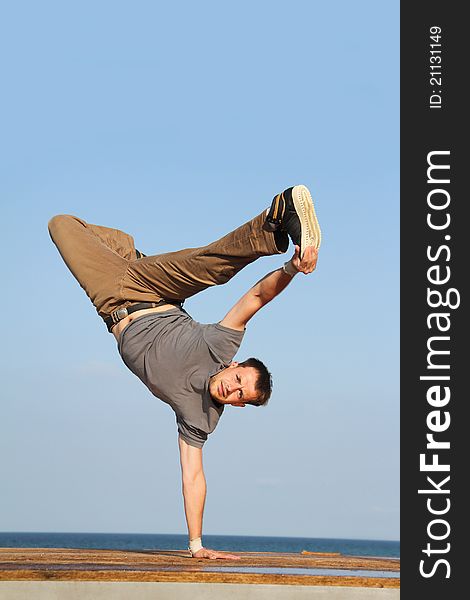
[{"x": 268, "y": 288}]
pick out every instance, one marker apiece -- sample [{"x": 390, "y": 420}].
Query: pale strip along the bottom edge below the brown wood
[{"x": 108, "y": 590}]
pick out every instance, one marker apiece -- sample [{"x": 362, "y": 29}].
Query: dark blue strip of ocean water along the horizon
[{"x": 234, "y": 543}]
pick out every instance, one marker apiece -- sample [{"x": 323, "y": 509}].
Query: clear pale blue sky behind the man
[{"x": 177, "y": 122}]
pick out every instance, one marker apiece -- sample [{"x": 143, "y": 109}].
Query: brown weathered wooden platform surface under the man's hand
[{"x": 60, "y": 564}]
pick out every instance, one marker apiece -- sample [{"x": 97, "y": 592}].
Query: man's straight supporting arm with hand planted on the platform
[{"x": 194, "y": 493}]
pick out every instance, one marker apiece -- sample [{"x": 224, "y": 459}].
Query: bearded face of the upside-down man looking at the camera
[{"x": 234, "y": 385}]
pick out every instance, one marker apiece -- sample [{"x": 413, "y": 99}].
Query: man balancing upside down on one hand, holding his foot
[{"x": 188, "y": 365}]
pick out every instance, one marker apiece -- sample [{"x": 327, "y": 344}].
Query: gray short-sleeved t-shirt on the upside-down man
[{"x": 174, "y": 356}]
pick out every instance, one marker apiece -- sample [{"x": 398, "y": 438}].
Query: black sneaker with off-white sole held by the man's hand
[{"x": 292, "y": 211}]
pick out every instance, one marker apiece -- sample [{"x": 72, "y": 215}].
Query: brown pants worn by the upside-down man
[{"x": 105, "y": 263}]
